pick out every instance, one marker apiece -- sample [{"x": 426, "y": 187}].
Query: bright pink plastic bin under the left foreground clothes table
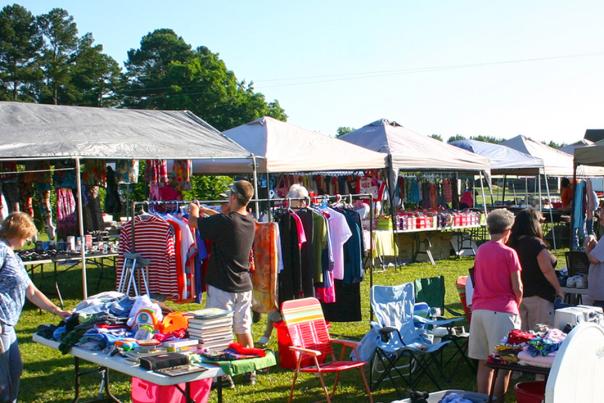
[{"x": 146, "y": 392}]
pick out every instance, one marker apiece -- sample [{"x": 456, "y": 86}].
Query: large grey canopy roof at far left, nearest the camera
[{"x": 49, "y": 131}]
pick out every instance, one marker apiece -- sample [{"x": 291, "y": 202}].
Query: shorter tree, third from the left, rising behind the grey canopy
[{"x": 95, "y": 76}]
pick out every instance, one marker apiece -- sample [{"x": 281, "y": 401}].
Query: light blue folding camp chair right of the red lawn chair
[{"x": 398, "y": 348}]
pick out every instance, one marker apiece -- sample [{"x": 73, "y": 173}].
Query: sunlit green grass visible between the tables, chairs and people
[{"x": 48, "y": 375}]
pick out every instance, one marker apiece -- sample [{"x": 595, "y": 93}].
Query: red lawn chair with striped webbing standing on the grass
[{"x": 310, "y": 339}]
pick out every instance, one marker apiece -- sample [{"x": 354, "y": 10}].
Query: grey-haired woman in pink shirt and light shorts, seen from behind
[{"x": 497, "y": 295}]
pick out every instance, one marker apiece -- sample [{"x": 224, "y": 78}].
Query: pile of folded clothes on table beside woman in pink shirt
[{"x": 536, "y": 348}]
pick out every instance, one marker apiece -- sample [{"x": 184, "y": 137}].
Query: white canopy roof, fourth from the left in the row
[{"x": 504, "y": 160}]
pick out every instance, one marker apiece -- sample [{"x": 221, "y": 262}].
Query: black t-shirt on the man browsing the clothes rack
[{"x": 232, "y": 236}]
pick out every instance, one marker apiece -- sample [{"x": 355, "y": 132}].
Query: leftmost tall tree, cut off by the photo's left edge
[{"x": 20, "y": 44}]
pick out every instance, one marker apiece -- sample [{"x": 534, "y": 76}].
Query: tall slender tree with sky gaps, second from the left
[{"x": 61, "y": 37}]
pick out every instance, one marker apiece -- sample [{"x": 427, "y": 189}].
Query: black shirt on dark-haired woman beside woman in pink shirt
[{"x": 533, "y": 281}]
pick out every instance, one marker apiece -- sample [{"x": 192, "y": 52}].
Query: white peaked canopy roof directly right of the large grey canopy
[{"x": 283, "y": 147}]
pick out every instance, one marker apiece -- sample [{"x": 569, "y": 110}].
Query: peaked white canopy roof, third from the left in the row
[{"x": 414, "y": 151}]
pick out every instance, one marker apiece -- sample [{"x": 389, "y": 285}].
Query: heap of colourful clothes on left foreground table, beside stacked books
[{"x": 116, "y": 323}]
